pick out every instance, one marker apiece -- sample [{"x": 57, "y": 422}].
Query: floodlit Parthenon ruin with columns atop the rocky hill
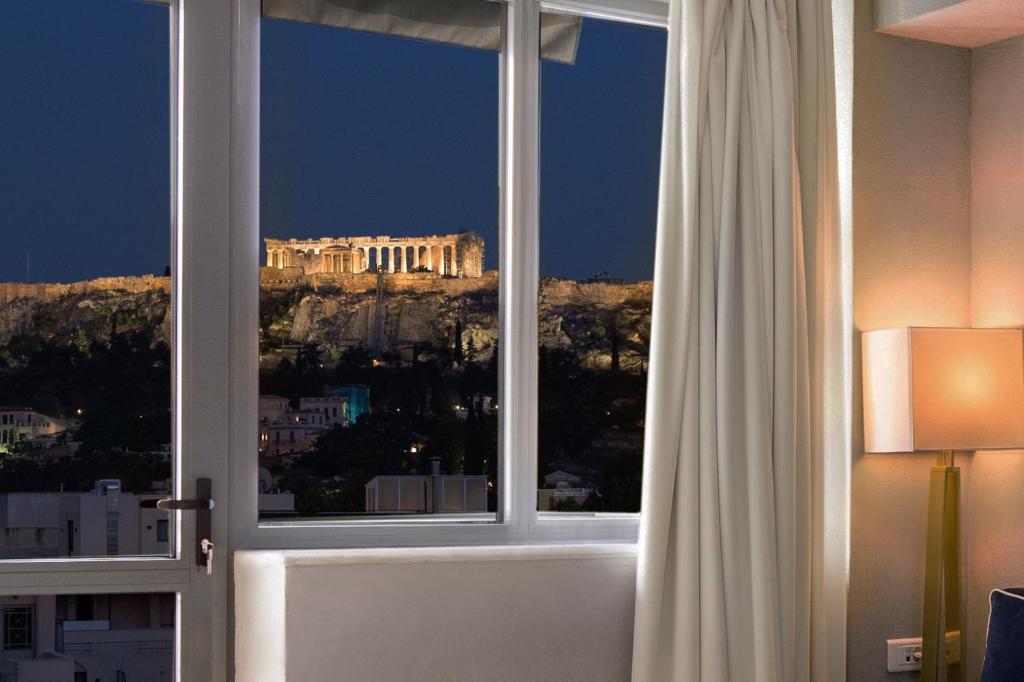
[{"x": 453, "y": 255}]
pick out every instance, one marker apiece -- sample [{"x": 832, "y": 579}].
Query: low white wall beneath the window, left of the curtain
[{"x": 560, "y": 614}]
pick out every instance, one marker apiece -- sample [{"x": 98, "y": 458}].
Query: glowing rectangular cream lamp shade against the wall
[{"x": 931, "y": 390}]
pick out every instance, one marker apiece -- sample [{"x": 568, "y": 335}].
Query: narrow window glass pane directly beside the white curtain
[{"x": 601, "y": 140}]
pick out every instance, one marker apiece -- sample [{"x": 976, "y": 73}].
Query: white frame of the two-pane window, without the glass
[{"x": 518, "y": 519}]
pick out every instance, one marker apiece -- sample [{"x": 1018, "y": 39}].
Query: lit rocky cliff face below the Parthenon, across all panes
[{"x": 390, "y": 315}]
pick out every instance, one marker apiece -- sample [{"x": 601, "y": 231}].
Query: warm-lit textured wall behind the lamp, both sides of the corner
[{"x": 938, "y": 241}]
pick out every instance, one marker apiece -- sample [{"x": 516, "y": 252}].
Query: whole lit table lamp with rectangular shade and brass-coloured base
[{"x": 943, "y": 391}]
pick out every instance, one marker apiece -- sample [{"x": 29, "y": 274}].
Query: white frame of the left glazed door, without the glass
[{"x": 200, "y": 64}]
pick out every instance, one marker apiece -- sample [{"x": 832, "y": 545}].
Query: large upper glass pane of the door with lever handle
[{"x": 86, "y": 364}]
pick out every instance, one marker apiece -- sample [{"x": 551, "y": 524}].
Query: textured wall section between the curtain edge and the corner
[{"x": 912, "y": 267}]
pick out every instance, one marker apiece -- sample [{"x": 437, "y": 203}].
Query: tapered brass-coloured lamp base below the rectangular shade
[{"x": 943, "y": 645}]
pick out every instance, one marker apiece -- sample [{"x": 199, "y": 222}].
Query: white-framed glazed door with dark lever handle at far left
[{"x": 95, "y": 356}]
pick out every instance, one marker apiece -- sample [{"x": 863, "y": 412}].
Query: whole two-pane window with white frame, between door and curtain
[{"x": 410, "y": 375}]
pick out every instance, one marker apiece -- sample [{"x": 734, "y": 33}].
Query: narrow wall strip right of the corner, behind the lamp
[{"x": 994, "y": 506}]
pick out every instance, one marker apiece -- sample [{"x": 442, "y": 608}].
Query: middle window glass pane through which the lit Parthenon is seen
[{"x": 379, "y": 210}]
